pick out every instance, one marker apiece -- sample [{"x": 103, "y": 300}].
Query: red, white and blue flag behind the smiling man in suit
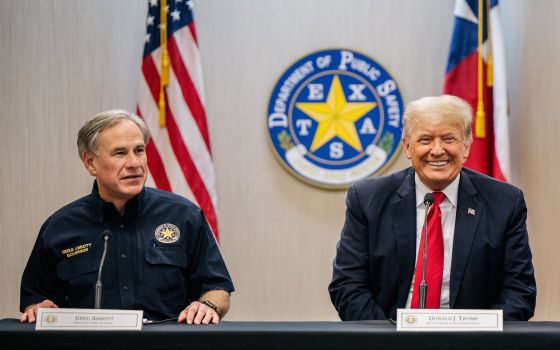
[{"x": 476, "y": 72}]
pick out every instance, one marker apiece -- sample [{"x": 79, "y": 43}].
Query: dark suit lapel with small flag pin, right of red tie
[{"x": 469, "y": 211}]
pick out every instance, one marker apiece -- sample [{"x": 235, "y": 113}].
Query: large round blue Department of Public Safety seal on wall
[{"x": 335, "y": 117}]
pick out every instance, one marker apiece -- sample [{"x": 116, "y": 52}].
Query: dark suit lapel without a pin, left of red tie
[{"x": 403, "y": 211}]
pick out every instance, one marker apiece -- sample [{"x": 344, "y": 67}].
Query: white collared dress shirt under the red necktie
[{"x": 448, "y": 214}]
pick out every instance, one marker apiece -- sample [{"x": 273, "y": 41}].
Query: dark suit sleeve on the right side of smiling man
[{"x": 518, "y": 295}]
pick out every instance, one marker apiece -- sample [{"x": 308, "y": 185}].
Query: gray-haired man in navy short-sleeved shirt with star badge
[{"x": 162, "y": 257}]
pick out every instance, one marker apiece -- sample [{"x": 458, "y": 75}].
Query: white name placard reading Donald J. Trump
[{"x": 449, "y": 320}]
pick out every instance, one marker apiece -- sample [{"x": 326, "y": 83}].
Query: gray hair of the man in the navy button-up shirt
[{"x": 88, "y": 136}]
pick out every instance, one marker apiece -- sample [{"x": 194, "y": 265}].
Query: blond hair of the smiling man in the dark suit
[{"x": 453, "y": 109}]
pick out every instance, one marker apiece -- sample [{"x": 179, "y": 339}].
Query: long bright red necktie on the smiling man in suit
[{"x": 434, "y": 264}]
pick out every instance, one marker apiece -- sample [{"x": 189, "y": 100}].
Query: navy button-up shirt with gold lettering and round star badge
[{"x": 161, "y": 256}]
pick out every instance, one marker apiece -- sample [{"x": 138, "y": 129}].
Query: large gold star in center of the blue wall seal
[{"x": 336, "y": 117}]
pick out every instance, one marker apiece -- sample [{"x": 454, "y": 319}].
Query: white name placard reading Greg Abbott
[{"x": 88, "y": 319}]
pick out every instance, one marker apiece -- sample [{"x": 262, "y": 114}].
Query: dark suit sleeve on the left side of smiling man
[{"x": 349, "y": 289}]
